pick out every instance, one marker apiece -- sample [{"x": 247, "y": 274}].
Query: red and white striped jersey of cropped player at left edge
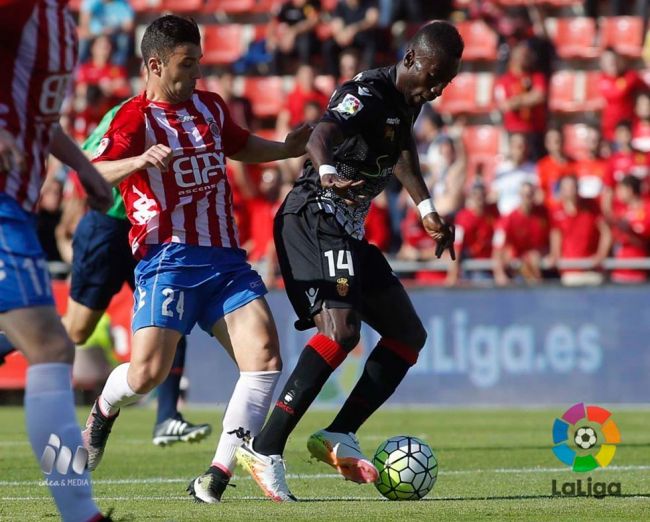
[{"x": 38, "y": 53}]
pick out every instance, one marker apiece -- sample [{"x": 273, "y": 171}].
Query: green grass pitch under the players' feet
[{"x": 493, "y": 464}]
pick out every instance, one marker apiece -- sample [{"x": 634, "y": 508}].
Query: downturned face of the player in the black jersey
[{"x": 426, "y": 77}]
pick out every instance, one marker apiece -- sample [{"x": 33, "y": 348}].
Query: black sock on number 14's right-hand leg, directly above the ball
[{"x": 385, "y": 368}]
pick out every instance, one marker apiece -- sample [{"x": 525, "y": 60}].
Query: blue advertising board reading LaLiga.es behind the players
[{"x": 486, "y": 346}]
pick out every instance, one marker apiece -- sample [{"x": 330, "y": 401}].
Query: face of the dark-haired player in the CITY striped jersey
[{"x": 179, "y": 75}]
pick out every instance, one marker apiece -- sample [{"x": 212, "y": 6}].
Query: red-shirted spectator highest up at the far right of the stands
[{"x": 618, "y": 86}]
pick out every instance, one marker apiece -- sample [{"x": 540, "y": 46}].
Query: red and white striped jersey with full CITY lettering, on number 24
[{"x": 190, "y": 202}]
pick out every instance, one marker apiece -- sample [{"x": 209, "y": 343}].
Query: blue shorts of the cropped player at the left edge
[{"x": 24, "y": 275}]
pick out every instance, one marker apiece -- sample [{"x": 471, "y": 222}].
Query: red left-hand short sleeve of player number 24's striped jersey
[{"x": 125, "y": 136}]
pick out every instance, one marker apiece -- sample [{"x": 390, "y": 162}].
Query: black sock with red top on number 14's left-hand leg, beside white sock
[{"x": 317, "y": 361}]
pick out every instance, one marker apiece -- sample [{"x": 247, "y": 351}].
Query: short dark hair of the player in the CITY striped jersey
[{"x": 166, "y": 33}]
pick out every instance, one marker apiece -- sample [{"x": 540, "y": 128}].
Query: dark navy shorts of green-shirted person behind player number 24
[{"x": 101, "y": 260}]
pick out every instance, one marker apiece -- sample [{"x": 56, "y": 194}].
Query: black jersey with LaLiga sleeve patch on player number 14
[{"x": 377, "y": 126}]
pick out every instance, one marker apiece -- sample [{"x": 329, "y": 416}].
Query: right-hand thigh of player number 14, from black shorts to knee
[{"x": 386, "y": 306}]
